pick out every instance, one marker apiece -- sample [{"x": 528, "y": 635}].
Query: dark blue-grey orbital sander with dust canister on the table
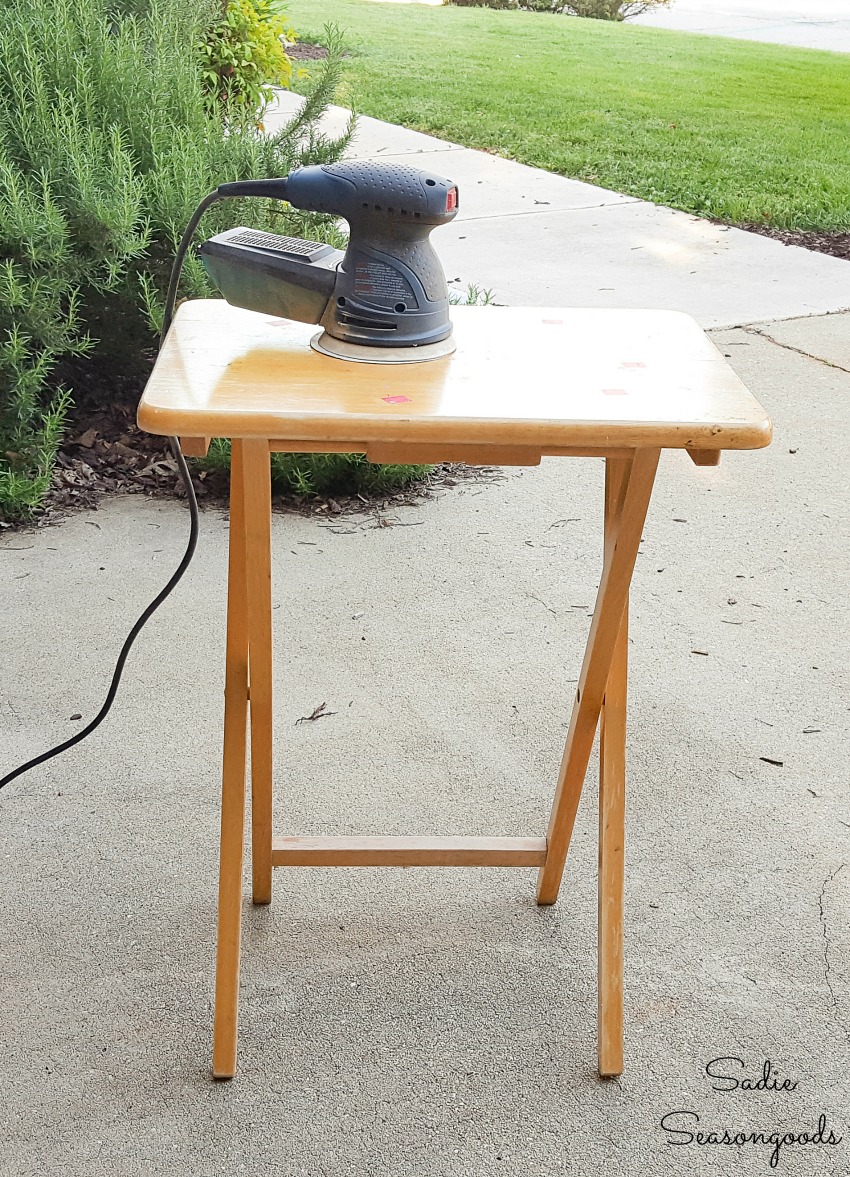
[{"x": 382, "y": 301}]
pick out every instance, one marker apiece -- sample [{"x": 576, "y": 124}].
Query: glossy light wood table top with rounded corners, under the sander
[{"x": 520, "y": 376}]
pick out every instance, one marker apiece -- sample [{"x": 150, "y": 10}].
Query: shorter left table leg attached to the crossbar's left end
[{"x": 258, "y": 518}]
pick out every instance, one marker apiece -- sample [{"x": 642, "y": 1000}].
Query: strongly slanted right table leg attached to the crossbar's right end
[{"x": 622, "y": 542}]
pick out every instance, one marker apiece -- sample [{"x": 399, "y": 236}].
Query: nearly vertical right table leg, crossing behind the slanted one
[{"x": 613, "y": 828}]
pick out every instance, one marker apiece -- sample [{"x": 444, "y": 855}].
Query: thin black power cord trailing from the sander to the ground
[{"x": 235, "y": 190}]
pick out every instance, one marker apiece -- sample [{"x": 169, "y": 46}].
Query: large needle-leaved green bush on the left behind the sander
[{"x": 108, "y": 144}]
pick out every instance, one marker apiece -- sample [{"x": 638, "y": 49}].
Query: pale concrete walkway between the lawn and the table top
[{"x": 535, "y": 238}]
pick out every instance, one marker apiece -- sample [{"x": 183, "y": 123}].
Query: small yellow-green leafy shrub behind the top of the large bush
[{"x": 244, "y": 55}]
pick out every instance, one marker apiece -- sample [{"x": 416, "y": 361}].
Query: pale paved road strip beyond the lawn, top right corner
[{"x": 824, "y": 25}]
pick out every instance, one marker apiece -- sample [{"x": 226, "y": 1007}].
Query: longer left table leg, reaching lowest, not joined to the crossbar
[{"x": 233, "y": 789}]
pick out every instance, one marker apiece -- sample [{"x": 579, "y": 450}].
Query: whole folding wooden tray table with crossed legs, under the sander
[{"x": 523, "y": 384}]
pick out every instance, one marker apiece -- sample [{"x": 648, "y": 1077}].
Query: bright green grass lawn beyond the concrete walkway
[{"x": 734, "y": 130}]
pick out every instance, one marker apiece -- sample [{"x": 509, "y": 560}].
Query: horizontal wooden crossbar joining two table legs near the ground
[{"x": 408, "y": 852}]
